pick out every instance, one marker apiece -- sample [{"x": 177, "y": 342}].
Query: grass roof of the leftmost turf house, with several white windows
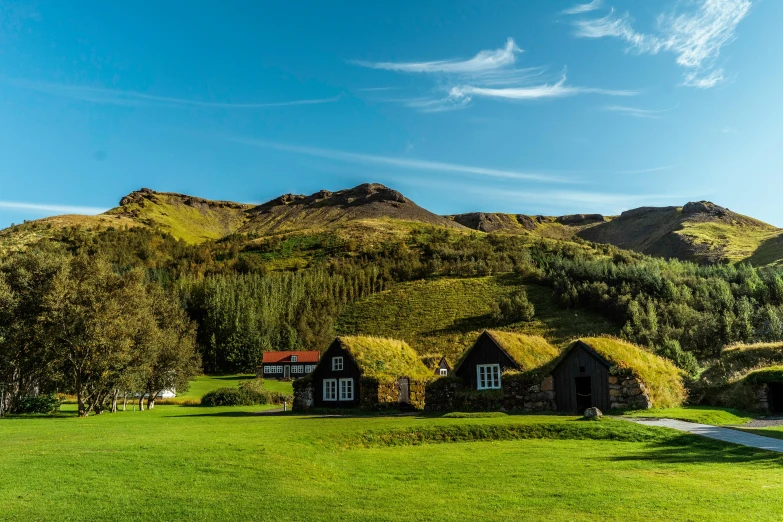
[{"x": 385, "y": 359}]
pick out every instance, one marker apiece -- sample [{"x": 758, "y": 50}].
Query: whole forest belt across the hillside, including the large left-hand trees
[{"x": 121, "y": 311}]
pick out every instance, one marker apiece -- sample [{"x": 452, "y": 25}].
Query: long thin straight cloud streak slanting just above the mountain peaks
[{"x": 406, "y": 163}]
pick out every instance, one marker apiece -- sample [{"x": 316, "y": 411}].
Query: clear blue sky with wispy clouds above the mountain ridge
[{"x": 527, "y": 107}]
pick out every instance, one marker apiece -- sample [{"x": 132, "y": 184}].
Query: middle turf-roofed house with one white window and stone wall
[{"x": 501, "y": 370}]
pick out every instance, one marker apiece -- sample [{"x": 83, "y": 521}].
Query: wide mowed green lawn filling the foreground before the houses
[{"x": 192, "y": 463}]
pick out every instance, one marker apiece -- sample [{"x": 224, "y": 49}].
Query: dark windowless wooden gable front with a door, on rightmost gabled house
[{"x": 581, "y": 380}]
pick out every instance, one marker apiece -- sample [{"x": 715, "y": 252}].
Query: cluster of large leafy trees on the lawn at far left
[{"x": 75, "y": 324}]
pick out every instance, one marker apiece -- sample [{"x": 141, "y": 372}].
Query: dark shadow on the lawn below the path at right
[{"x": 693, "y": 449}]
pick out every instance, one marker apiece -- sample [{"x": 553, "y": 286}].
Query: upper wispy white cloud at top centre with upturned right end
[{"x": 483, "y": 61}]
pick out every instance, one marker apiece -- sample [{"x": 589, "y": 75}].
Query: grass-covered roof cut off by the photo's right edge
[{"x": 738, "y": 360}]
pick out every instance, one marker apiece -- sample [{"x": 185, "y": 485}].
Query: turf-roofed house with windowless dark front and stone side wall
[{"x": 609, "y": 373}]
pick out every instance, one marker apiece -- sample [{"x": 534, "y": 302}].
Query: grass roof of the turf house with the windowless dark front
[{"x": 661, "y": 377}]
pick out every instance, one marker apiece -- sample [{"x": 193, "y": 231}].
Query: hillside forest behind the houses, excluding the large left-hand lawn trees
[{"x": 242, "y": 307}]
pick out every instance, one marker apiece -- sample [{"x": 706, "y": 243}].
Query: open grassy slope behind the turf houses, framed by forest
[{"x": 445, "y": 315}]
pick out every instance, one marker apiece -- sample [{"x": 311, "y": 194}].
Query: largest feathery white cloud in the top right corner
[{"x": 695, "y": 31}]
